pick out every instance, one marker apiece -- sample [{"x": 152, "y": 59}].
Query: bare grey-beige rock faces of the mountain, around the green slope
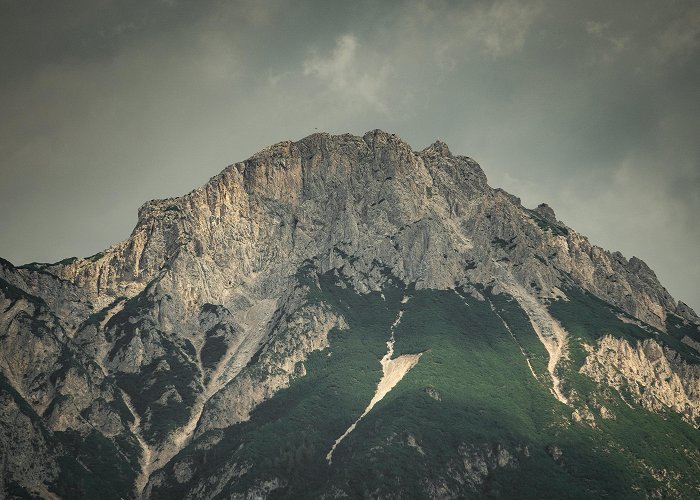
[{"x": 178, "y": 333}]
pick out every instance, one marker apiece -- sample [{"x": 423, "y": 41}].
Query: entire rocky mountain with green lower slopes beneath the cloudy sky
[{"x": 343, "y": 316}]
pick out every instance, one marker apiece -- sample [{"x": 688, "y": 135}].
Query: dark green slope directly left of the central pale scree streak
[{"x": 293, "y": 431}]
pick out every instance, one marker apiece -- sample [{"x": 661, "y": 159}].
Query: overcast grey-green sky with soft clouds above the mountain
[{"x": 590, "y": 106}]
